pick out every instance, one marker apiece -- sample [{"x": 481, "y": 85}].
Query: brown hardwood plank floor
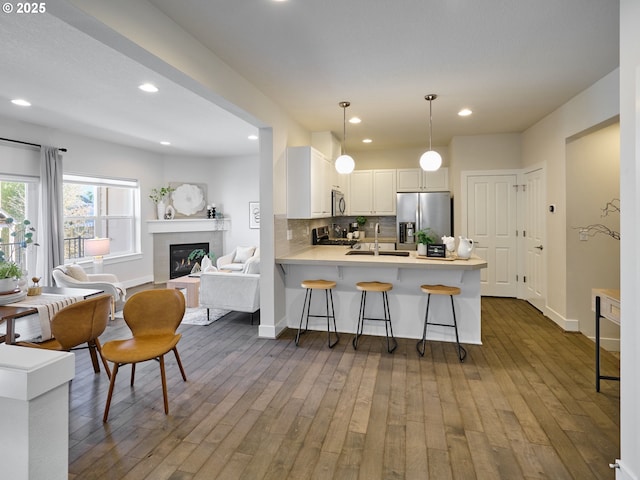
[{"x": 522, "y": 406}]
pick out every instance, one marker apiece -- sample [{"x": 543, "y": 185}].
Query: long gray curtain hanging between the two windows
[{"x": 51, "y": 237}]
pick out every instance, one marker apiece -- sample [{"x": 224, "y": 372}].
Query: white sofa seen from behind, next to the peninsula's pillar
[{"x": 238, "y": 292}]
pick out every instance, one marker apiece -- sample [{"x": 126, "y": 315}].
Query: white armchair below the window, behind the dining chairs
[{"x": 74, "y": 276}]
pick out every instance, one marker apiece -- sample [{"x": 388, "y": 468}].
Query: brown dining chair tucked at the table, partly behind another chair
[{"x": 79, "y": 323}]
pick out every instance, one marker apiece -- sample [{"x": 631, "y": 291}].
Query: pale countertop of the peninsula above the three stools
[{"x": 335, "y": 255}]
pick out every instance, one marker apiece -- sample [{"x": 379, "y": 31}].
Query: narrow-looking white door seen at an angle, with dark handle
[{"x": 534, "y": 239}]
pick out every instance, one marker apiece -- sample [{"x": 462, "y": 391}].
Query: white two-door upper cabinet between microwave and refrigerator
[{"x": 372, "y": 192}]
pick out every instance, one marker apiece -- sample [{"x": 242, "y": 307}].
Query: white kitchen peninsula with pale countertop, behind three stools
[{"x": 407, "y": 303}]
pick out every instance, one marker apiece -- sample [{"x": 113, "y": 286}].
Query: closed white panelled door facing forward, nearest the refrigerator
[{"x": 492, "y": 225}]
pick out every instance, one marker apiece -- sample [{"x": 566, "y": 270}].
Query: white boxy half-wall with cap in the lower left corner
[{"x": 34, "y": 401}]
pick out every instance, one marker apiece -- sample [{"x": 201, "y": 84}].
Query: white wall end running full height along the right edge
[{"x": 630, "y": 267}]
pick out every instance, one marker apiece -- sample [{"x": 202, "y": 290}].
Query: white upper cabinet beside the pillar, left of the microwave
[{"x": 309, "y": 181}]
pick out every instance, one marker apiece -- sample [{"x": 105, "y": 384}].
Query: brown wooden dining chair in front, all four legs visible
[{"x": 153, "y": 317}]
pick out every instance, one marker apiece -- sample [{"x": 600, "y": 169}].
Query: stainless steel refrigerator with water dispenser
[{"x": 418, "y": 210}]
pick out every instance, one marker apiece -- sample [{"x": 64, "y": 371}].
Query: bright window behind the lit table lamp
[{"x": 99, "y": 207}]
